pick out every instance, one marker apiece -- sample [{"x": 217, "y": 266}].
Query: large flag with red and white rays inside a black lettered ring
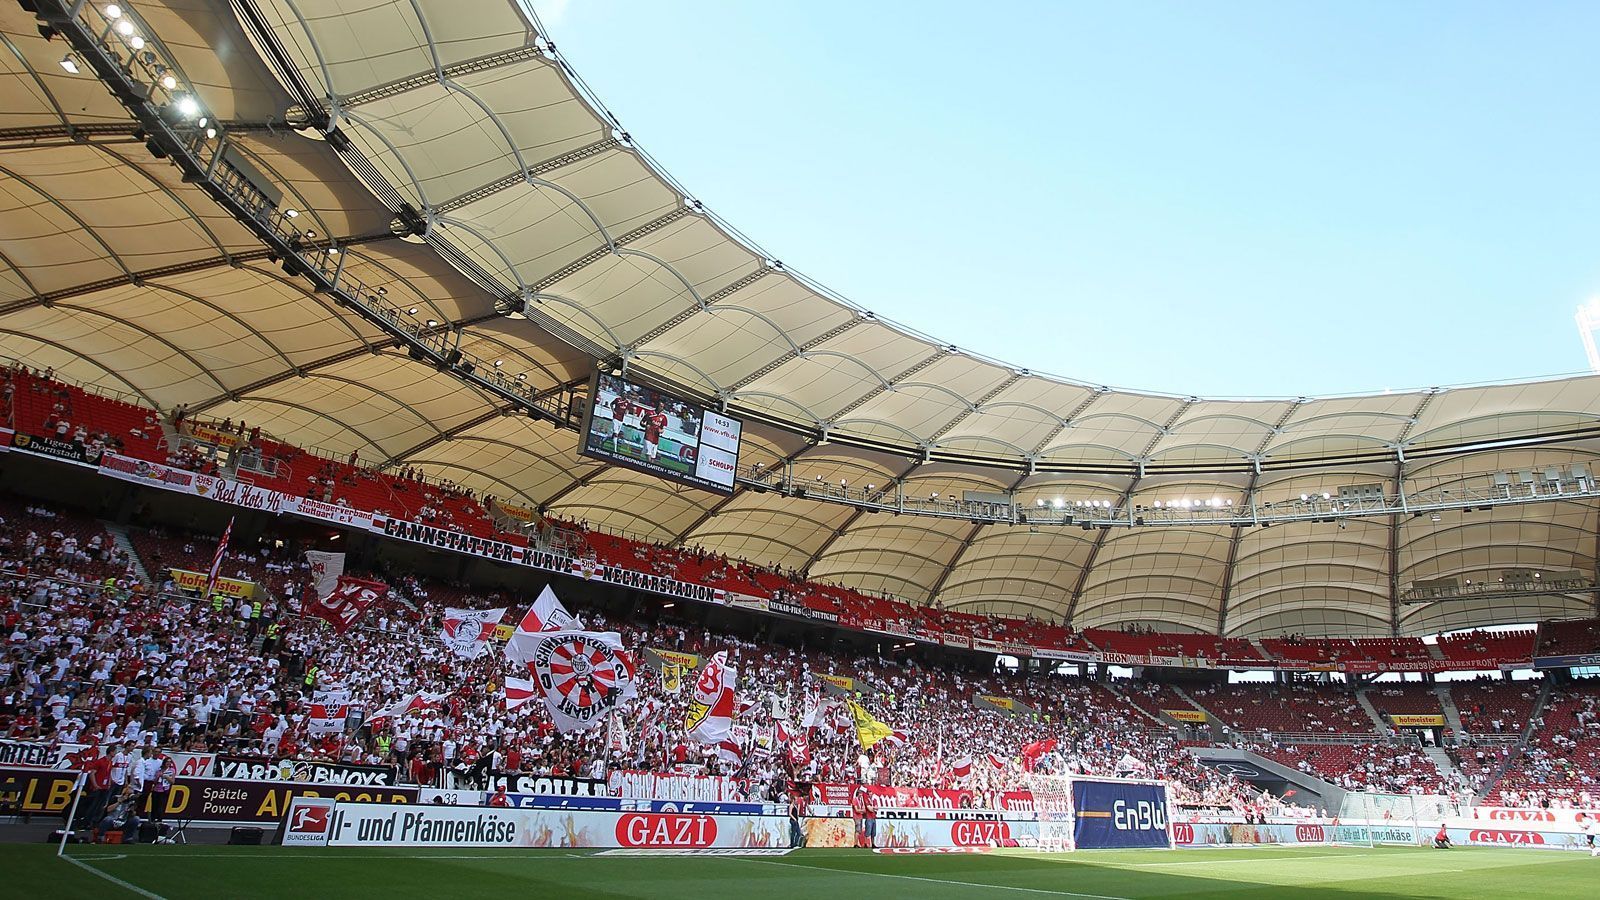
[{"x": 583, "y": 677}]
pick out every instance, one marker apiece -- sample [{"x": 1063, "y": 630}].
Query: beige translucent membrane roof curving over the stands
[{"x": 554, "y": 239}]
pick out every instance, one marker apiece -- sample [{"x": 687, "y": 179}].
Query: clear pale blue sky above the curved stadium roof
[{"x": 1225, "y": 199}]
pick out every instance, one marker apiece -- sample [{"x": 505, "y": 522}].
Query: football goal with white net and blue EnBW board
[{"x": 1081, "y": 813}]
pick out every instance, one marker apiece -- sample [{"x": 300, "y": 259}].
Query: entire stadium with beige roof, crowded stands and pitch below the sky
[{"x": 410, "y": 489}]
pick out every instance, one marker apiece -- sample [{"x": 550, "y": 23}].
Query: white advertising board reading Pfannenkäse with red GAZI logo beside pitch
[{"x": 388, "y": 826}]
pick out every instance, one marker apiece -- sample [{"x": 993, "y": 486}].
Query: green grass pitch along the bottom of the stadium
[{"x": 174, "y": 874}]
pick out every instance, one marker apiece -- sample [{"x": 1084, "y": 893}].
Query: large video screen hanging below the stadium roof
[{"x": 662, "y": 435}]
